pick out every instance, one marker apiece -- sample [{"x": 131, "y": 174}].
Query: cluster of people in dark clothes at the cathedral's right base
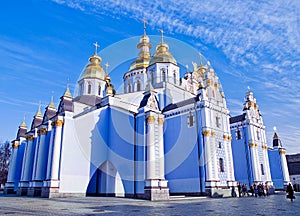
[{"x": 255, "y": 190}]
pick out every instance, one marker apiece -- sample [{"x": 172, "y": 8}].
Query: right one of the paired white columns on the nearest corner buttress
[{"x": 161, "y": 148}]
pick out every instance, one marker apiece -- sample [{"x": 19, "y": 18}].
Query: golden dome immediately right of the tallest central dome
[{"x": 162, "y": 55}]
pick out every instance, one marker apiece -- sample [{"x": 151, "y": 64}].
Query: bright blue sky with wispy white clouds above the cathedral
[{"x": 45, "y": 43}]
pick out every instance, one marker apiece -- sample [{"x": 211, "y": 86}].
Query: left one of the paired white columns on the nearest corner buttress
[{"x": 150, "y": 148}]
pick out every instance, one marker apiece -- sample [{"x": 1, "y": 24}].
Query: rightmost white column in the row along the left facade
[{"x": 55, "y": 161}]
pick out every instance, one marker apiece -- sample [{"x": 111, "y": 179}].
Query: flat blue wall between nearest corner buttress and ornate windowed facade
[{"x": 178, "y": 136}]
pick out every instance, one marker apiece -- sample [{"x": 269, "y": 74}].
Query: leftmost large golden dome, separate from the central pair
[{"x": 93, "y": 69}]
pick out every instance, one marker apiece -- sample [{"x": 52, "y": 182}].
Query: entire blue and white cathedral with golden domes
[{"x": 164, "y": 135}]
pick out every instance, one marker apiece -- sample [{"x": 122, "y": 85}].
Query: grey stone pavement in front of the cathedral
[{"x": 273, "y": 205}]
